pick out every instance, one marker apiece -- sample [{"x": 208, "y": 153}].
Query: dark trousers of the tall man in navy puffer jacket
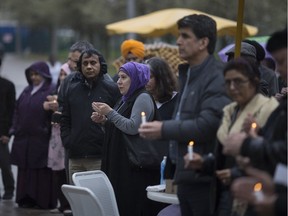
[{"x": 194, "y": 199}]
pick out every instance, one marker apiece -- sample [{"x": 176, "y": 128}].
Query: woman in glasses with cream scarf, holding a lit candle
[{"x": 242, "y": 85}]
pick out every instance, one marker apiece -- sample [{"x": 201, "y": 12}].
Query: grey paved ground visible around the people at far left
[{"x": 13, "y": 68}]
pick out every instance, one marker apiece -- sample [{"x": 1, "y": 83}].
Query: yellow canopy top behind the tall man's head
[{"x": 163, "y": 22}]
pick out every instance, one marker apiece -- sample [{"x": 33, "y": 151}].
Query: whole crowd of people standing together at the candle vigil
[{"x": 73, "y": 120}]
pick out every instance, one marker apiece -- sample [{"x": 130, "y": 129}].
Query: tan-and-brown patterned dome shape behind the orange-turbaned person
[{"x": 163, "y": 50}]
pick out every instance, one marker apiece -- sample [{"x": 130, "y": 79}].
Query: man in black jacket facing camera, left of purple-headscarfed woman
[{"x": 82, "y": 138}]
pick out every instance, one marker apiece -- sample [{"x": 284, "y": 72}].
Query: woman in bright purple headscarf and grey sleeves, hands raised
[{"x": 129, "y": 183}]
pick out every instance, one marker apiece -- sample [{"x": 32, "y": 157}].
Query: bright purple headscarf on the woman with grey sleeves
[{"x": 139, "y": 75}]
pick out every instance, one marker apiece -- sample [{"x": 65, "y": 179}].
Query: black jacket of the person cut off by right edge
[{"x": 266, "y": 152}]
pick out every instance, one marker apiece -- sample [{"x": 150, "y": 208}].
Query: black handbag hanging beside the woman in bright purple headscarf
[{"x": 143, "y": 153}]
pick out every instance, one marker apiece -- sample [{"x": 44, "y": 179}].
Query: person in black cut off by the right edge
[{"x": 269, "y": 150}]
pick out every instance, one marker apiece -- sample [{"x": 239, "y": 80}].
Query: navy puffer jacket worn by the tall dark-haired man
[{"x": 200, "y": 115}]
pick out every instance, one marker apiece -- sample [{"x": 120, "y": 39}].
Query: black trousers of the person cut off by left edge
[{"x": 5, "y": 166}]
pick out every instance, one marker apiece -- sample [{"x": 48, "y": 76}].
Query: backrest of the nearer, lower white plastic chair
[{"x": 82, "y": 200}]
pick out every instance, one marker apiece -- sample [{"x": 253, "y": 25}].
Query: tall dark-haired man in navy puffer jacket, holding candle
[{"x": 198, "y": 113}]
